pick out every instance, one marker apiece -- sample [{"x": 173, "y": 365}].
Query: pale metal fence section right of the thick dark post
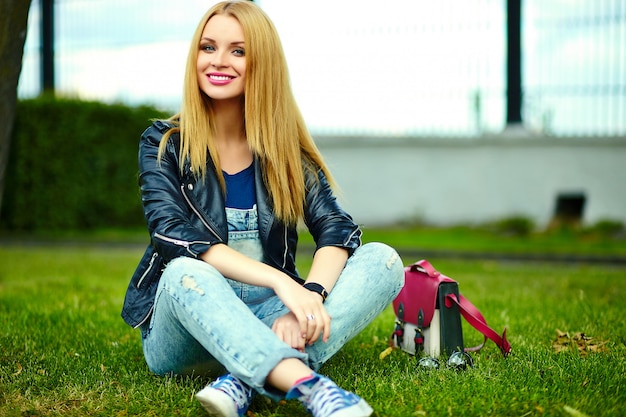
[{"x": 575, "y": 67}]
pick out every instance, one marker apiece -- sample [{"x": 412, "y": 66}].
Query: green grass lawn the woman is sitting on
[{"x": 64, "y": 349}]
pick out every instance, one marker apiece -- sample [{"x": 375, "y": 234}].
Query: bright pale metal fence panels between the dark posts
[{"x": 411, "y": 67}]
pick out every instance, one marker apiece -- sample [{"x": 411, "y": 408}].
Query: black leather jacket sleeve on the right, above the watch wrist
[{"x": 327, "y": 222}]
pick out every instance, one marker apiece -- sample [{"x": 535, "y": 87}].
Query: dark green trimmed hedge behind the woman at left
[{"x": 73, "y": 166}]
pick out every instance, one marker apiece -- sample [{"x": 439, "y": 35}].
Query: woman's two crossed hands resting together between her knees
[{"x": 307, "y": 319}]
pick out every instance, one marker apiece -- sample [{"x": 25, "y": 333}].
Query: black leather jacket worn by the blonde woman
[{"x": 186, "y": 215}]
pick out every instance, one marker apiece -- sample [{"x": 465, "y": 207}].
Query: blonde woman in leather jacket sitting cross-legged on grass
[{"x": 224, "y": 185}]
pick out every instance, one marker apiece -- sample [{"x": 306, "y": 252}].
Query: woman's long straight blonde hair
[{"x": 274, "y": 126}]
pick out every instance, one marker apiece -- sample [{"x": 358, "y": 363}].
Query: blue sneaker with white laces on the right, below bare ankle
[{"x": 323, "y": 398}]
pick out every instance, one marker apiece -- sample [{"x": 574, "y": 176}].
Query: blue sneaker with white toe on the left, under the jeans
[{"x": 227, "y": 396}]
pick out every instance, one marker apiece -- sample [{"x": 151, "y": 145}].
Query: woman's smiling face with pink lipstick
[{"x": 221, "y": 64}]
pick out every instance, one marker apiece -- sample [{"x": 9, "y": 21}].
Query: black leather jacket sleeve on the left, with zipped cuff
[{"x": 174, "y": 227}]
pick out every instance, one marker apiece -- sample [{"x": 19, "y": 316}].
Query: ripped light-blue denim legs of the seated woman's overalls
[{"x": 204, "y": 323}]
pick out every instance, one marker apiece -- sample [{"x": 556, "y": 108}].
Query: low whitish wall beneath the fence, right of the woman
[{"x": 474, "y": 180}]
